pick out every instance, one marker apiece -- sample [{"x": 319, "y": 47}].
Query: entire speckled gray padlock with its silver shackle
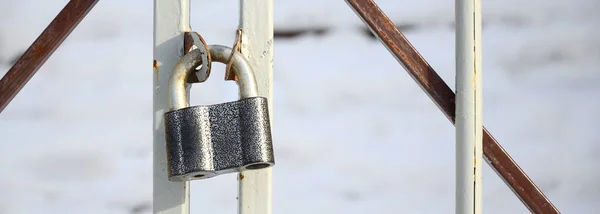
[{"x": 208, "y": 140}]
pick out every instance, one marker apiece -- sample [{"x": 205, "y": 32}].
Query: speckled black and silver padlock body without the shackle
[{"x": 204, "y": 141}]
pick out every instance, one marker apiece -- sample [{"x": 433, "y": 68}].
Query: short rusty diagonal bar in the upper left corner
[{"x": 37, "y": 54}]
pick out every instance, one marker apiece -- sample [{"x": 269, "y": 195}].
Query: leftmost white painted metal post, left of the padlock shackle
[{"x": 171, "y": 20}]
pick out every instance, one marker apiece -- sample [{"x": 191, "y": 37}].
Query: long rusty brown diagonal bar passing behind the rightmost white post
[{"x": 444, "y": 97}]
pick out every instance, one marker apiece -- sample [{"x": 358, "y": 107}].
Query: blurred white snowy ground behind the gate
[{"x": 353, "y": 132}]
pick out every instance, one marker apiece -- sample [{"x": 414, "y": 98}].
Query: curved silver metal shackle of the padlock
[{"x": 187, "y": 66}]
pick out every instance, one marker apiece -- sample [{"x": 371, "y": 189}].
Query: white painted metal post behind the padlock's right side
[{"x": 256, "y": 22}]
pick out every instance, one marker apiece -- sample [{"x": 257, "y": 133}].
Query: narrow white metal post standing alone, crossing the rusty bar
[{"x": 468, "y": 107}]
